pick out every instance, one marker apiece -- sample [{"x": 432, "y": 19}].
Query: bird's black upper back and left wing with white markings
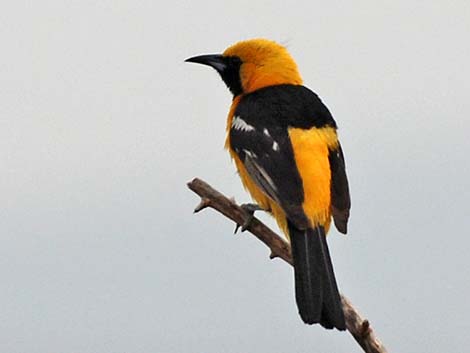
[{"x": 259, "y": 135}]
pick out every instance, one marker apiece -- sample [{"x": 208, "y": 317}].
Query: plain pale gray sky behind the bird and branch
[{"x": 102, "y": 124}]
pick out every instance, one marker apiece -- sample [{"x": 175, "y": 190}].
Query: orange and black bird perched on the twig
[{"x": 284, "y": 142}]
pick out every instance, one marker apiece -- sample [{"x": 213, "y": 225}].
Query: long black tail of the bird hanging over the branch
[{"x": 316, "y": 291}]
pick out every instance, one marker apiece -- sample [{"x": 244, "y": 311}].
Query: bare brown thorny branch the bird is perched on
[{"x": 359, "y": 327}]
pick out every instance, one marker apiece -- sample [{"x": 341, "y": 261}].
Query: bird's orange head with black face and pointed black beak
[{"x": 252, "y": 64}]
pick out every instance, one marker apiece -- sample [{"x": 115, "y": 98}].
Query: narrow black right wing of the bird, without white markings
[{"x": 340, "y": 199}]
